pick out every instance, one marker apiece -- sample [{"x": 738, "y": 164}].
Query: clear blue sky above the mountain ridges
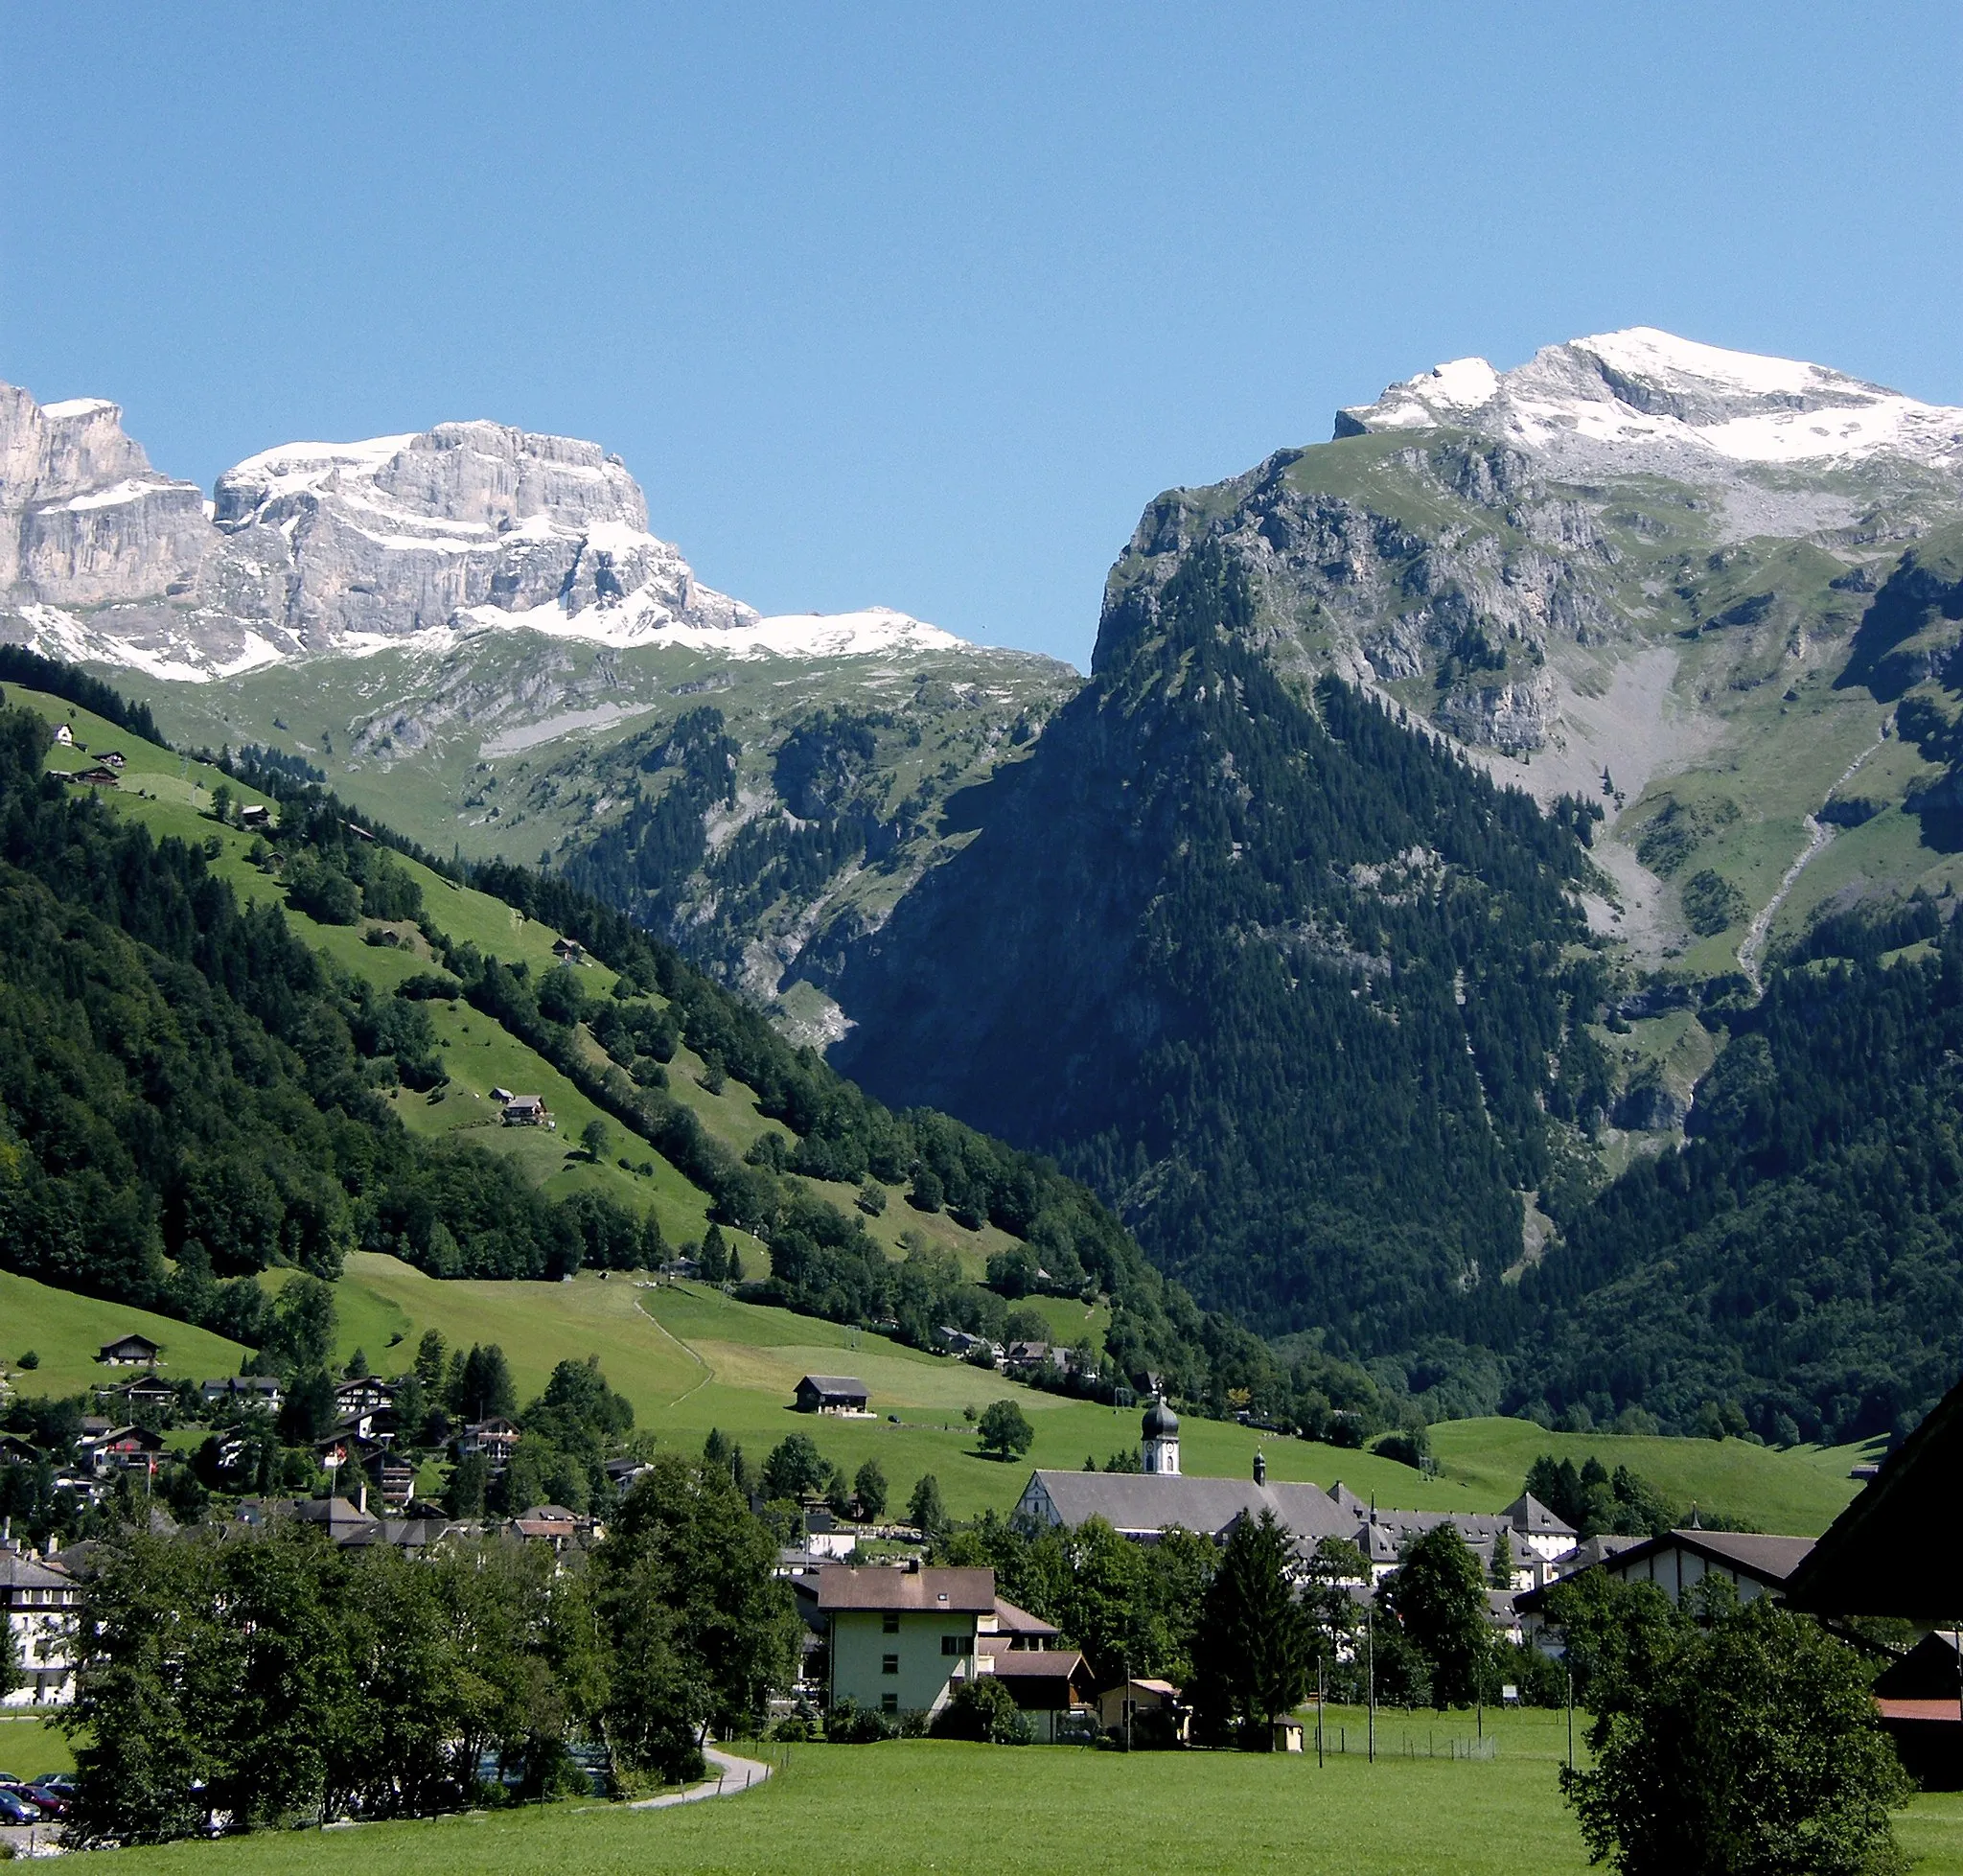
[{"x": 922, "y": 305}]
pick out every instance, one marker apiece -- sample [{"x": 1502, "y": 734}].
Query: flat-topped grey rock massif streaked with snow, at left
[{"x": 348, "y": 548}]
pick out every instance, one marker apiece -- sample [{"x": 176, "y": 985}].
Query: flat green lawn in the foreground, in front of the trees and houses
[{"x": 992, "y": 1810}]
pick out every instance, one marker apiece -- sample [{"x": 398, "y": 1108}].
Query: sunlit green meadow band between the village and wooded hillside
[{"x": 692, "y": 1359}]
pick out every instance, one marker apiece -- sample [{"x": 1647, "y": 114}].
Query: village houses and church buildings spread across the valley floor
[{"x": 898, "y": 1640}]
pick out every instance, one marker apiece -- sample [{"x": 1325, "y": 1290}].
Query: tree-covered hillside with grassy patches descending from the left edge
[{"x": 195, "y": 1092}]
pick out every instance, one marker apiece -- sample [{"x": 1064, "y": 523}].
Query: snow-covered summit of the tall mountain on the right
[{"x": 1658, "y": 401}]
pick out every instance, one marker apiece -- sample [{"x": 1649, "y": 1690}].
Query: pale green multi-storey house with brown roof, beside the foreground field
[{"x": 902, "y": 1640}]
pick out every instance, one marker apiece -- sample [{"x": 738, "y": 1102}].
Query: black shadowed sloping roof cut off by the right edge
[{"x": 1907, "y": 1514}]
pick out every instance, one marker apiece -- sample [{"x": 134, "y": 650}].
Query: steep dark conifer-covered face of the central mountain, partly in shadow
[{"x": 1281, "y": 976}]
